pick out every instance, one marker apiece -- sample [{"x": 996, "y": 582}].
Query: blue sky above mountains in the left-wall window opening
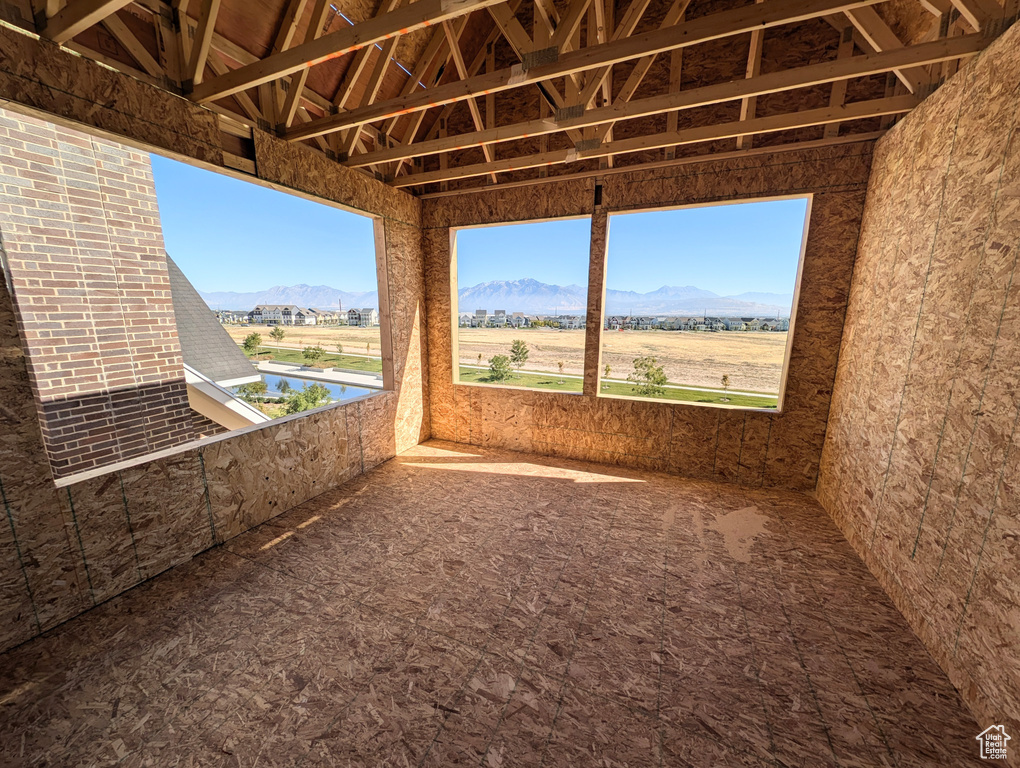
[{"x": 229, "y": 235}]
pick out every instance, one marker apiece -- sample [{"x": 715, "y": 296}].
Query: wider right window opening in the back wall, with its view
[{"x": 700, "y": 302}]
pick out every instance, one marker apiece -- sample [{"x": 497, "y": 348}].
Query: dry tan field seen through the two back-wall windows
[{"x": 753, "y": 361}]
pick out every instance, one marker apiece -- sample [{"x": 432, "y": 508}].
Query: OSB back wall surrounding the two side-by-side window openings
[{"x": 745, "y": 447}]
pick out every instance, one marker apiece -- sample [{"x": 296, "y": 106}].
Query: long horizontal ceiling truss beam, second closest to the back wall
[{"x": 805, "y": 77}]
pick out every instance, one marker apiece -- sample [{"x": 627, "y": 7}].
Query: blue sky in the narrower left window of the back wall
[{"x": 553, "y": 252}]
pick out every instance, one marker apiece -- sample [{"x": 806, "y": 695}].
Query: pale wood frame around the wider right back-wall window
[{"x": 781, "y": 402}]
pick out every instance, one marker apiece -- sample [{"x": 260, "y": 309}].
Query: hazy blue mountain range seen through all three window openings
[{"x": 532, "y": 297}]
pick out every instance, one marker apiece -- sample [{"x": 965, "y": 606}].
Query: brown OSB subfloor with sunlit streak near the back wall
[{"x": 460, "y": 606}]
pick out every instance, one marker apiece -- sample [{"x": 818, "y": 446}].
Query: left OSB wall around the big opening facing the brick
[{"x": 65, "y": 550}]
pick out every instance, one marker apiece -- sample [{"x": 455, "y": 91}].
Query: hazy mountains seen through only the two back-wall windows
[{"x": 534, "y": 297}]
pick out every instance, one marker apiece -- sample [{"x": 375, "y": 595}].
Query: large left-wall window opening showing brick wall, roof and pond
[{"x": 161, "y": 303}]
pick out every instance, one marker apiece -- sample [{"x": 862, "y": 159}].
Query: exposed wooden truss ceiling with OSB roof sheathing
[{"x": 448, "y": 95}]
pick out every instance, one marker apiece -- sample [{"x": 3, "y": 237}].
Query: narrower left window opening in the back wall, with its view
[{"x": 521, "y": 303}]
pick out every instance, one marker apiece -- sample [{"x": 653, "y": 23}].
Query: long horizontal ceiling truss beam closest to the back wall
[{"x": 773, "y": 124}]
